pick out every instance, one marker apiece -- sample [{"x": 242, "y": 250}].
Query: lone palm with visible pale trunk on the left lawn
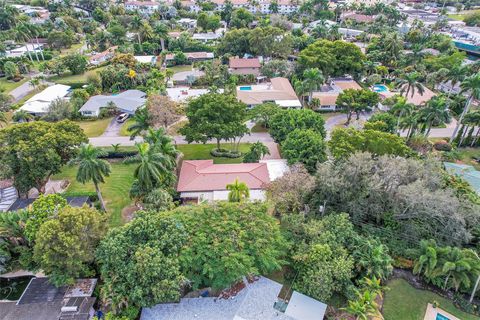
[{"x": 91, "y": 168}]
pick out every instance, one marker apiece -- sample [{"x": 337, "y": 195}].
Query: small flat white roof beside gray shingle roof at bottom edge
[{"x": 302, "y": 307}]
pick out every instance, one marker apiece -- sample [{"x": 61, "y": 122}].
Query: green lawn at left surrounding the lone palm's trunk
[{"x": 115, "y": 190}]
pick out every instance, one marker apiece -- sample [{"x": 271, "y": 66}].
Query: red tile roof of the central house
[{"x": 203, "y": 175}]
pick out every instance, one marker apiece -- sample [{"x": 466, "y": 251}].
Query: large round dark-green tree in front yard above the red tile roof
[{"x": 215, "y": 116}]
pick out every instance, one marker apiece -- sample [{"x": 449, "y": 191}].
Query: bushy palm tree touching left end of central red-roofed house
[{"x": 153, "y": 168}]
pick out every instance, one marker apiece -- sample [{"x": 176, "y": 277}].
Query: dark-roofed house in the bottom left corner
[{"x": 43, "y": 301}]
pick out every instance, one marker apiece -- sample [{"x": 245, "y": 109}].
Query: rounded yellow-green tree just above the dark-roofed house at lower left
[{"x": 65, "y": 245}]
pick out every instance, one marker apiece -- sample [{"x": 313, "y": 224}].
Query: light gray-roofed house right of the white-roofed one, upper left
[{"x": 128, "y": 101}]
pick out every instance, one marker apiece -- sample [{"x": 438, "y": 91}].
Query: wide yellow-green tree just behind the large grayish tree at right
[{"x": 345, "y": 142}]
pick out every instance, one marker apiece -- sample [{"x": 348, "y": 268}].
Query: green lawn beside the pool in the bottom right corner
[{"x": 404, "y": 302}]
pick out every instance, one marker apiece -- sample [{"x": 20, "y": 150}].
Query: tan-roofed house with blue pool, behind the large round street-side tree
[{"x": 279, "y": 90}]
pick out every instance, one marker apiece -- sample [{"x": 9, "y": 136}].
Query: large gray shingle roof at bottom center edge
[{"x": 255, "y": 302}]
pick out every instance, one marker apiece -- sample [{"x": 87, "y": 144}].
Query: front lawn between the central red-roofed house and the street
[{"x": 202, "y": 151}]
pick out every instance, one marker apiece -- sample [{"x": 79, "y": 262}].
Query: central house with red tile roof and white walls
[{"x": 202, "y": 180}]
